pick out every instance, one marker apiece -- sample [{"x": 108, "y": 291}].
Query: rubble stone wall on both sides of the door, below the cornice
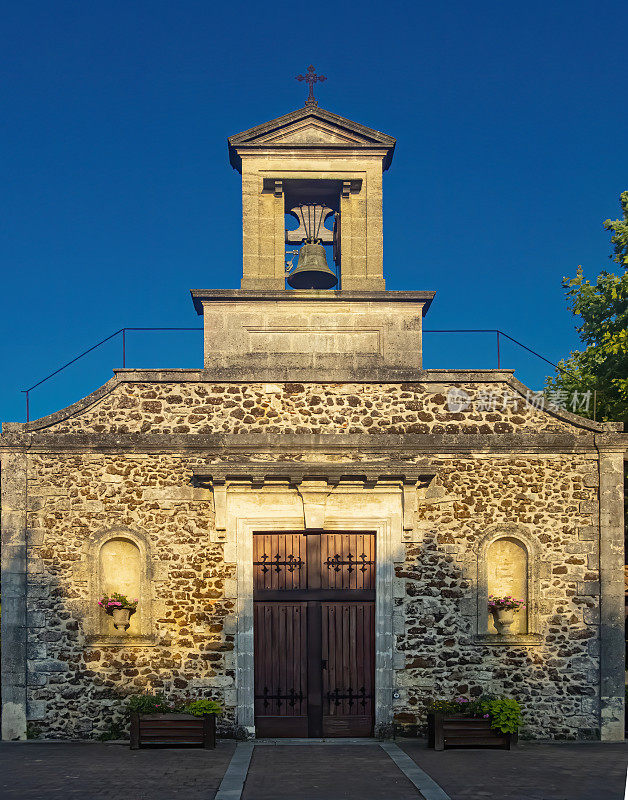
[{"x": 77, "y": 688}]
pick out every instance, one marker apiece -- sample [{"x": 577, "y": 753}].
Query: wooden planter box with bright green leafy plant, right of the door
[{"x": 485, "y": 722}]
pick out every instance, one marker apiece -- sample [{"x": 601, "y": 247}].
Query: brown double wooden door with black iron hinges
[{"x": 314, "y": 603}]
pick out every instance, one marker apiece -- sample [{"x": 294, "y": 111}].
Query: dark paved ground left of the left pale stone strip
[{"x": 94, "y": 771}]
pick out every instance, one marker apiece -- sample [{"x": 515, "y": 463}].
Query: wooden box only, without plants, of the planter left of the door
[{"x": 173, "y": 730}]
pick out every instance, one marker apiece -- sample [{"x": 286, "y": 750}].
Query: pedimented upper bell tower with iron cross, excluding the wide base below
[{"x": 318, "y": 167}]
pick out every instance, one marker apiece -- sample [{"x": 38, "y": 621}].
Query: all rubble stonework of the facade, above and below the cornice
[{"x": 77, "y": 681}]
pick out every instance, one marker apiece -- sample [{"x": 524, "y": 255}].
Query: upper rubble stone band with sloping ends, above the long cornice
[{"x": 207, "y": 408}]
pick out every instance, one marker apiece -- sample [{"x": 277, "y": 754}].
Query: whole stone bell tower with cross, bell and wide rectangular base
[{"x": 319, "y": 168}]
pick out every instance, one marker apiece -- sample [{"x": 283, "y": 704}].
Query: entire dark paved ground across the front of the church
[{"x": 93, "y": 771}]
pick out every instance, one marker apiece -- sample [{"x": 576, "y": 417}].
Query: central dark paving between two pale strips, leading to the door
[{"x": 312, "y": 772}]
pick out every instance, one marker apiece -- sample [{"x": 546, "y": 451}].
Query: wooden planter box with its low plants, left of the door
[{"x": 157, "y": 723}]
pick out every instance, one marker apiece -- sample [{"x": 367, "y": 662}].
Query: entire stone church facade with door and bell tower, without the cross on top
[{"x": 312, "y": 523}]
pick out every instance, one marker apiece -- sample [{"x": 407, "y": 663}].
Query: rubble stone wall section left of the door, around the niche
[{"x": 76, "y": 687}]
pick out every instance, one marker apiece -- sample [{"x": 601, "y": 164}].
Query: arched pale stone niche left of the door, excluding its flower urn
[{"x": 120, "y": 561}]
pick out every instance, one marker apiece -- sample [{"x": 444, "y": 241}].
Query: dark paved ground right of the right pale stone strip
[{"x": 530, "y": 771}]
